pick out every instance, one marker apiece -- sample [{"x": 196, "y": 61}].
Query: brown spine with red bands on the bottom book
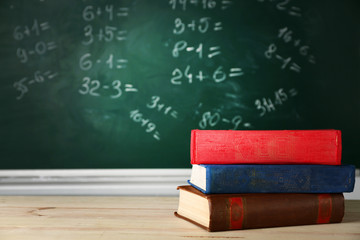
[{"x": 272, "y": 210}]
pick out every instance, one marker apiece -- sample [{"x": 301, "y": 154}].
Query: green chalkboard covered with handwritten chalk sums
[{"x": 120, "y": 84}]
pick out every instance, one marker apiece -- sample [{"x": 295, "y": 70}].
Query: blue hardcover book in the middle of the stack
[{"x": 273, "y": 178}]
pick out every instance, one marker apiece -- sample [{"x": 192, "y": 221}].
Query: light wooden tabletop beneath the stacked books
[{"x": 65, "y": 218}]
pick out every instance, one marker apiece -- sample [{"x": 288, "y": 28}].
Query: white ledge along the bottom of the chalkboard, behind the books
[{"x": 156, "y": 182}]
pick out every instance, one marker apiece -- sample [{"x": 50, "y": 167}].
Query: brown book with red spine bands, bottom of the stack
[{"x": 220, "y": 212}]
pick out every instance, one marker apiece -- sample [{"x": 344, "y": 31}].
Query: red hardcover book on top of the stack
[{"x": 266, "y": 147}]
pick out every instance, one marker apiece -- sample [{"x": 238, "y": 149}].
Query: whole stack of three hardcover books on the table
[{"x": 258, "y": 179}]
